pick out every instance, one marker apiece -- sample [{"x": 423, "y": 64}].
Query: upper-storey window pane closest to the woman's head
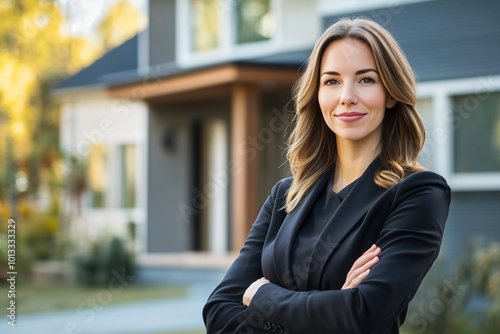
[{"x": 255, "y": 22}]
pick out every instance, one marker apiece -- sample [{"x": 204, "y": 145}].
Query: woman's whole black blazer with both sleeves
[{"x": 406, "y": 221}]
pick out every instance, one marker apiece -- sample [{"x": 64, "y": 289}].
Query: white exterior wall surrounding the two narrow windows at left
[{"x": 91, "y": 118}]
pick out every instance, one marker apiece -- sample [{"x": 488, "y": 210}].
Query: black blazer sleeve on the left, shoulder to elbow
[{"x": 224, "y": 311}]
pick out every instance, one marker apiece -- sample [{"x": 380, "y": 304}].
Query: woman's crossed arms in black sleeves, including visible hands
[{"x": 372, "y": 296}]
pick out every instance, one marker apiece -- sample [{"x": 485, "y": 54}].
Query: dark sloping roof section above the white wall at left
[{"x": 120, "y": 59}]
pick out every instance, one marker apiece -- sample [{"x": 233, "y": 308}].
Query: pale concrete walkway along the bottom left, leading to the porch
[{"x": 157, "y": 316}]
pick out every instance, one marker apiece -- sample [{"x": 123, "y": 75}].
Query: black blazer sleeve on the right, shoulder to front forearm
[{"x": 410, "y": 241}]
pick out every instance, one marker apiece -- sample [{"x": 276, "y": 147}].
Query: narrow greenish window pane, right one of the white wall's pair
[{"x": 128, "y": 176}]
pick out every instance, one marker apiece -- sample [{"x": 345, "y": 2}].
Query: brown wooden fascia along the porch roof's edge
[{"x": 203, "y": 79}]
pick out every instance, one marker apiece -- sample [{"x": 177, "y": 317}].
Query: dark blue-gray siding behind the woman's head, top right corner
[{"x": 444, "y": 39}]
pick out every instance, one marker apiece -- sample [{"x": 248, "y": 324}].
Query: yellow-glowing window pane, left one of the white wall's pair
[{"x": 97, "y": 175}]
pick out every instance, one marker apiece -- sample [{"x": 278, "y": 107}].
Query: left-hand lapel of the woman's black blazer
[{"x": 285, "y": 238}]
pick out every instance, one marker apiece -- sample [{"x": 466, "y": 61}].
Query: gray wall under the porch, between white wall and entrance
[{"x": 168, "y": 185}]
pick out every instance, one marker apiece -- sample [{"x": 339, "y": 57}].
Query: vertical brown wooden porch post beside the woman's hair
[{"x": 245, "y": 117}]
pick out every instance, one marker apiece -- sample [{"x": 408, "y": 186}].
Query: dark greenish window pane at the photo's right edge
[{"x": 476, "y": 124}]
